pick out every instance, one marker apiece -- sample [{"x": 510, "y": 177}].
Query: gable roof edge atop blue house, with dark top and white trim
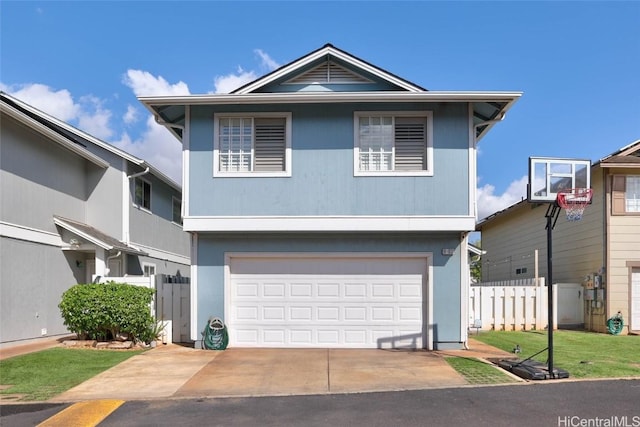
[{"x": 328, "y": 52}]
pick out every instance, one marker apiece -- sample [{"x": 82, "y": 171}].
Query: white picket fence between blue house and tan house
[{"x": 511, "y": 305}]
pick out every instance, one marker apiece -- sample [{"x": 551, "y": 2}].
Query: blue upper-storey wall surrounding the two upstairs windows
[{"x": 322, "y": 181}]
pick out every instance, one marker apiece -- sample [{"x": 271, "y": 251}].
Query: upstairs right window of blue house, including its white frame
[{"x": 388, "y": 143}]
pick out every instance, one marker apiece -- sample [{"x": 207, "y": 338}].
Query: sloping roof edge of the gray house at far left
[{"x": 71, "y": 137}]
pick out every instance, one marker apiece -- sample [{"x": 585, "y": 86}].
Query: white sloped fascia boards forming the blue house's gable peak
[{"x": 319, "y": 54}]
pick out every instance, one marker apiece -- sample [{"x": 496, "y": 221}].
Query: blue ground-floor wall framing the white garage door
[{"x": 446, "y": 269}]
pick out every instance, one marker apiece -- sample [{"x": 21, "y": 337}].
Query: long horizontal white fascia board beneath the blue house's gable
[{"x": 330, "y": 97}]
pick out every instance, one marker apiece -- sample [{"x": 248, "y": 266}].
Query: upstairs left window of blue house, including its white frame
[{"x": 252, "y": 145}]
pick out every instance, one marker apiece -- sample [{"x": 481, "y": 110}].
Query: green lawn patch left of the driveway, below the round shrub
[{"x": 44, "y": 374}]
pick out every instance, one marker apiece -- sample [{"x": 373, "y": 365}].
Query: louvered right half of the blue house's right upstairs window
[{"x": 410, "y": 143}]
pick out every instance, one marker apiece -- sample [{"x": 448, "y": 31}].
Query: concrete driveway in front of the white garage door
[{"x": 176, "y": 371}]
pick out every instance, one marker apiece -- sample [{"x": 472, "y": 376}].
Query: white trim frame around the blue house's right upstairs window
[{"x": 356, "y": 147}]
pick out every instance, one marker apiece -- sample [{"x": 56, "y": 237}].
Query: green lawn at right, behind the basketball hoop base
[{"x": 582, "y": 354}]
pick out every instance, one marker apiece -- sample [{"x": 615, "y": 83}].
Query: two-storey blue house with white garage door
[{"x": 329, "y": 204}]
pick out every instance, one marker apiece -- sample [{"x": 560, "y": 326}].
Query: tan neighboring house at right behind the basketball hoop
[{"x": 601, "y": 251}]
